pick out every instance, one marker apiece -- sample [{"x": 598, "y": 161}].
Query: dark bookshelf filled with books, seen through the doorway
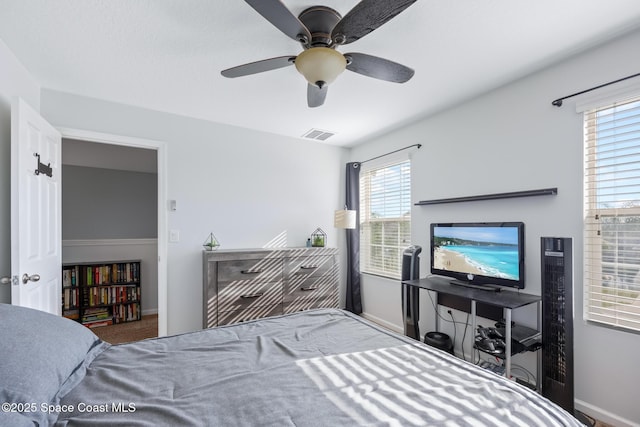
[{"x": 102, "y": 293}]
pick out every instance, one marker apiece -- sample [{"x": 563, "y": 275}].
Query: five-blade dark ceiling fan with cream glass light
[{"x": 320, "y": 30}]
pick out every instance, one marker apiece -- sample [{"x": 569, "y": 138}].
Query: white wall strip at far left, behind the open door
[{"x": 14, "y": 81}]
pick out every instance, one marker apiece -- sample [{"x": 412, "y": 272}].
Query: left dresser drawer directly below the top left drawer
[{"x": 239, "y": 296}]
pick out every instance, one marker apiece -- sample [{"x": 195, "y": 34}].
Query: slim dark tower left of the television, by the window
[{"x": 410, "y": 294}]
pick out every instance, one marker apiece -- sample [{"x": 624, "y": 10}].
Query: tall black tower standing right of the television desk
[{"x": 557, "y": 321}]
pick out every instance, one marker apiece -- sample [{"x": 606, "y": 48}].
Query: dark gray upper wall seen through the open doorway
[{"x": 108, "y": 204}]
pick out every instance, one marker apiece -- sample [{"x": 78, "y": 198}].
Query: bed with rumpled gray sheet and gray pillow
[{"x": 322, "y": 367}]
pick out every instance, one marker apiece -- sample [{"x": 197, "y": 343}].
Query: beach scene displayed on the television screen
[{"x": 485, "y": 251}]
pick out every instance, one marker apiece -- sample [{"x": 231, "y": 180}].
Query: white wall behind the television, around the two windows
[{"x": 514, "y": 139}]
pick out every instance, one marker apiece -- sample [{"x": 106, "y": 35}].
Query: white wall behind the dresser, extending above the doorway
[{"x": 248, "y": 188}]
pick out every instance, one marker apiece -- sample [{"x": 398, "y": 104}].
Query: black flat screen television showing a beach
[{"x": 488, "y": 255}]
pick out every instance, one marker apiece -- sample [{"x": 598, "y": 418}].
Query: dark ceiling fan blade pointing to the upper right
[{"x": 365, "y": 17}]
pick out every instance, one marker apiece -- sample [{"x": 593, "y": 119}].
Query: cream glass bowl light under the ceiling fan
[{"x": 320, "y": 65}]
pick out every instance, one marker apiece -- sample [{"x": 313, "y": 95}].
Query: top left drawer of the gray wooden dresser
[{"x": 250, "y": 270}]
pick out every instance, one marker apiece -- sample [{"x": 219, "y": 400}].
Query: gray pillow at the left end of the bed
[{"x": 42, "y": 357}]
